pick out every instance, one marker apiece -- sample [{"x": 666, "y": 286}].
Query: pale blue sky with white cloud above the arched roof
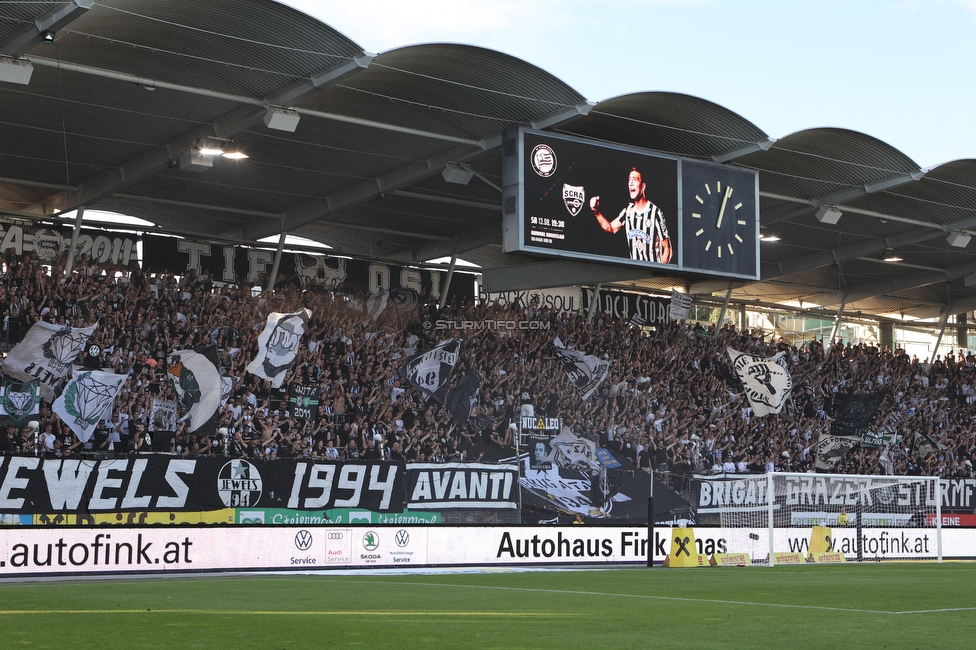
[{"x": 903, "y": 71}]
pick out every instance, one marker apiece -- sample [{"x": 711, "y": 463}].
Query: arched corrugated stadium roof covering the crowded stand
[{"x": 121, "y": 91}]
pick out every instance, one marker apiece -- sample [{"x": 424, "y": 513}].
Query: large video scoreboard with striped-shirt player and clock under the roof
[{"x": 571, "y": 197}]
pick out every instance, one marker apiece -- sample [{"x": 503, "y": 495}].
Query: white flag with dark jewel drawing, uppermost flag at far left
[{"x": 46, "y": 354}]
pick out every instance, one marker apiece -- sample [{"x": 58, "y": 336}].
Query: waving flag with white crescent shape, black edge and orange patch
[{"x": 197, "y": 382}]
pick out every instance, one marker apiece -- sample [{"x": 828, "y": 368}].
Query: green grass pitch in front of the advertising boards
[{"x": 893, "y": 605}]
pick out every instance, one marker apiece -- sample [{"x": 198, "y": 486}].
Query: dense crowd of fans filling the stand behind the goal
[{"x": 670, "y": 401}]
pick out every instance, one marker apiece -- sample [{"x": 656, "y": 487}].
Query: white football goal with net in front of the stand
[{"x": 790, "y": 518}]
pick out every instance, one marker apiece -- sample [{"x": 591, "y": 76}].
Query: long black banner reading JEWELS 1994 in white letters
[{"x": 164, "y": 483}]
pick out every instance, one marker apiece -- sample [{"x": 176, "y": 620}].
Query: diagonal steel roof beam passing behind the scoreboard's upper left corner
[{"x": 396, "y": 179}]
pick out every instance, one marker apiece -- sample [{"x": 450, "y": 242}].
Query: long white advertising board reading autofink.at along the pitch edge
[{"x": 26, "y": 550}]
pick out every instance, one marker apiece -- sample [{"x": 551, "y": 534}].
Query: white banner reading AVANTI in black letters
[{"x": 437, "y": 486}]
